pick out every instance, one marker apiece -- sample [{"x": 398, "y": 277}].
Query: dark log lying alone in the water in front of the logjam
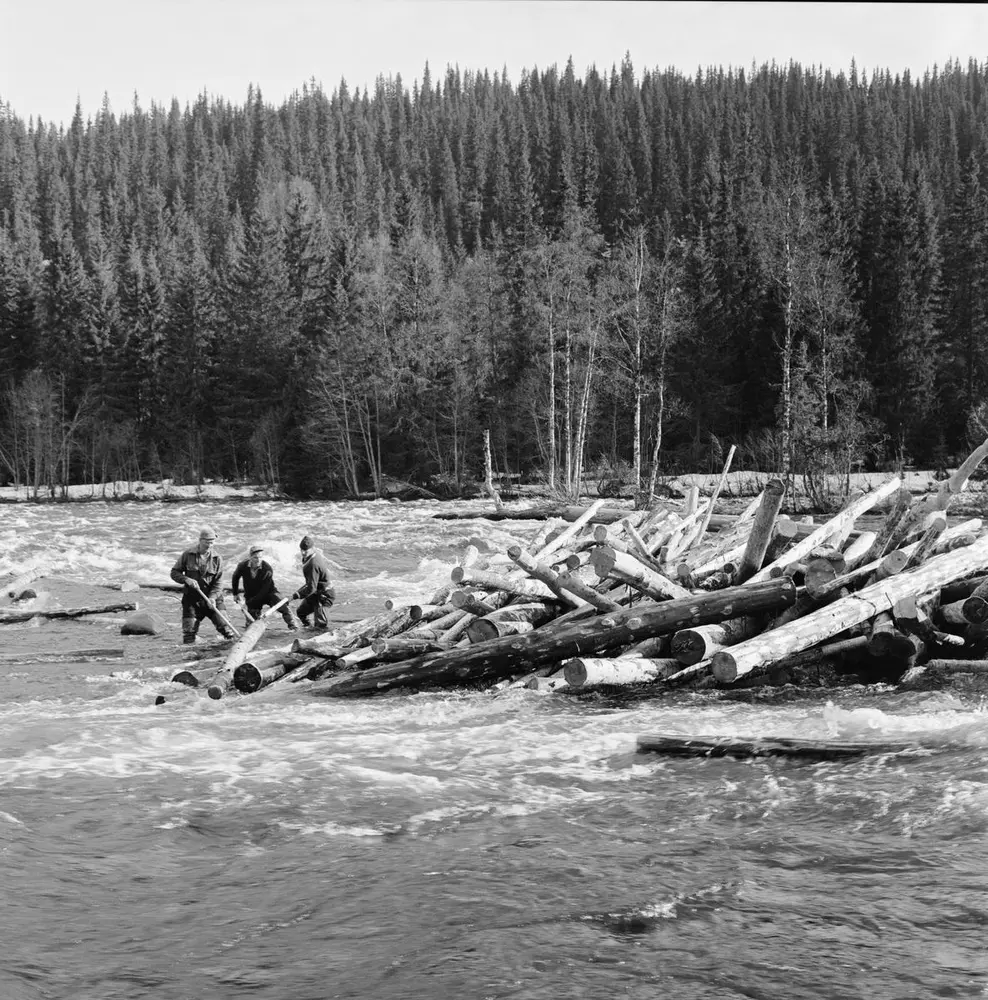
[{"x": 742, "y": 748}]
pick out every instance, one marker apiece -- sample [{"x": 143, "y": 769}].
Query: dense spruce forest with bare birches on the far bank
[{"x": 617, "y": 275}]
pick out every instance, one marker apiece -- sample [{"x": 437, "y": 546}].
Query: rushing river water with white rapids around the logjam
[{"x": 285, "y": 847}]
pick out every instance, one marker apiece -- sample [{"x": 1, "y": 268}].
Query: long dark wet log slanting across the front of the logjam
[{"x": 490, "y": 661}]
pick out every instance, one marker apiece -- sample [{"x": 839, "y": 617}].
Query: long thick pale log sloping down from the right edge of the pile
[{"x": 818, "y": 626}]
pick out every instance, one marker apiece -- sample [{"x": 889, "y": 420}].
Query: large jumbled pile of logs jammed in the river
[{"x": 665, "y": 599}]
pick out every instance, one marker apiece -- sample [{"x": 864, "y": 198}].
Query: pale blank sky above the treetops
[{"x": 57, "y": 51}]
